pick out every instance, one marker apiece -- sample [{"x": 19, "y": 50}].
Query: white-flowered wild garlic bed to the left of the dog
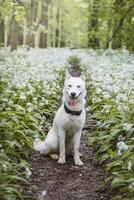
[{"x": 29, "y": 99}]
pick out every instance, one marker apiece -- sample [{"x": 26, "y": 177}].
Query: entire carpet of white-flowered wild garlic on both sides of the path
[{"x": 30, "y": 89}]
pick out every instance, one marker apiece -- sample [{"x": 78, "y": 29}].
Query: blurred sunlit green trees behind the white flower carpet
[{"x": 67, "y": 23}]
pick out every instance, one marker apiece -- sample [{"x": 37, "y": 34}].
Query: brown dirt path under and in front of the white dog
[{"x": 67, "y": 182}]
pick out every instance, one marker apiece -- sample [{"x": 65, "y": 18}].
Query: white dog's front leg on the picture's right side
[{"x": 77, "y": 137}]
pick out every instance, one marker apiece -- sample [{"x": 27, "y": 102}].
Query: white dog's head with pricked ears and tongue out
[{"x": 74, "y": 89}]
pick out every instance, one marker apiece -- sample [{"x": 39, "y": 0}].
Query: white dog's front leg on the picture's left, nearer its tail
[{"x": 62, "y": 146}]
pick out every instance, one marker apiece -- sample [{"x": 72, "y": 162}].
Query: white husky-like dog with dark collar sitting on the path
[{"x": 64, "y": 136}]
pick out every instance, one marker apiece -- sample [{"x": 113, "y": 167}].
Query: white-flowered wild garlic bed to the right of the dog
[{"x": 111, "y": 94}]
